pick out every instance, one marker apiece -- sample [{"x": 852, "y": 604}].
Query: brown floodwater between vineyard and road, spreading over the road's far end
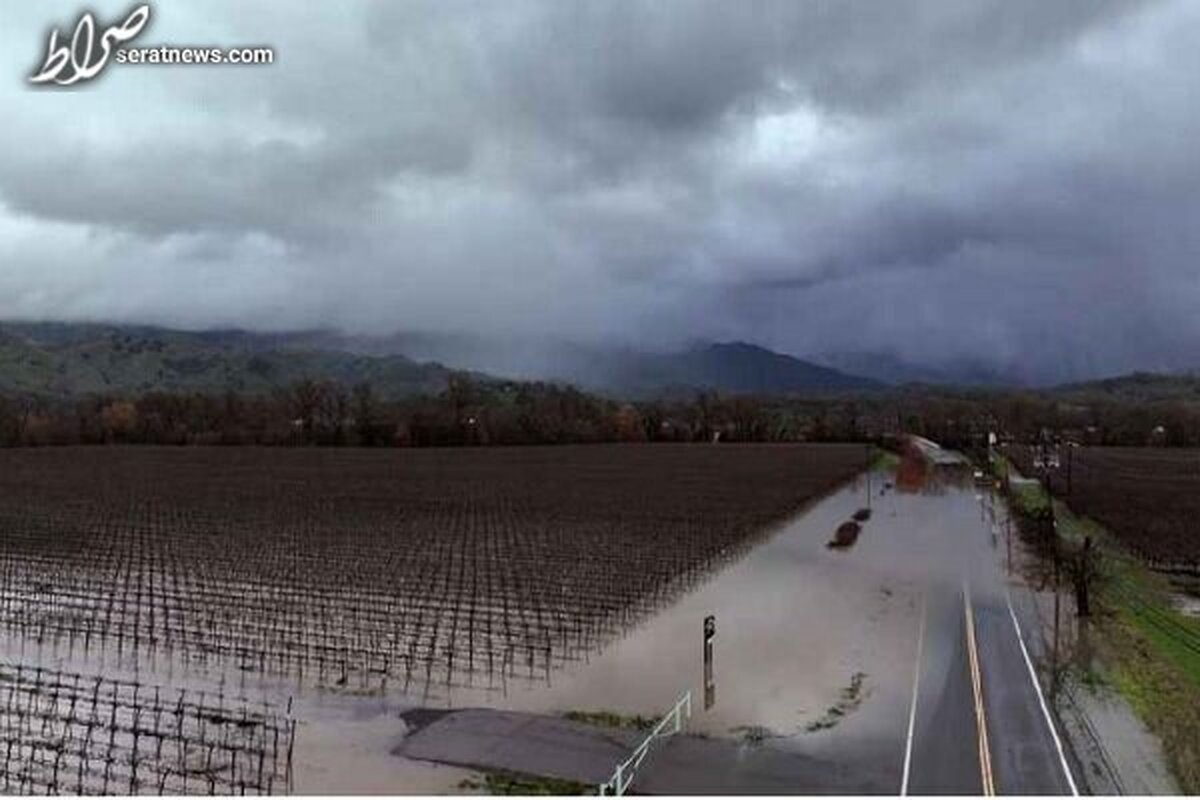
[{"x": 815, "y": 647}]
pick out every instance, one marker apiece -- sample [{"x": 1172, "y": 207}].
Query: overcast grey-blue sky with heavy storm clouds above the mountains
[{"x": 1013, "y": 181}]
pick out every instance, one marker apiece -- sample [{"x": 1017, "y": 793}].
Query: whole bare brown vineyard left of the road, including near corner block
[{"x": 379, "y": 574}]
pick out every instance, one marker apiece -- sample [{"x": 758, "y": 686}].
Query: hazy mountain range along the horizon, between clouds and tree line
[{"x": 68, "y": 360}]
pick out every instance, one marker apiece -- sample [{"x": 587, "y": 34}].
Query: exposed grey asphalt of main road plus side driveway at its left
[{"x": 977, "y": 727}]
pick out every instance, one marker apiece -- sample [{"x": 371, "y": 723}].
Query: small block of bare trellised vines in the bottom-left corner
[{"x": 67, "y": 733}]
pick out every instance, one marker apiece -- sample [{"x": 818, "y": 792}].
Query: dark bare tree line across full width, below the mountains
[{"x": 472, "y": 412}]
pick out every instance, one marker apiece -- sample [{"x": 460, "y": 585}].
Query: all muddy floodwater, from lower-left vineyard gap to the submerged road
[{"x": 815, "y": 647}]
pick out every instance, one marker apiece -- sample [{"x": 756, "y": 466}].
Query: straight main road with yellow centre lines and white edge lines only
[{"x": 980, "y": 721}]
